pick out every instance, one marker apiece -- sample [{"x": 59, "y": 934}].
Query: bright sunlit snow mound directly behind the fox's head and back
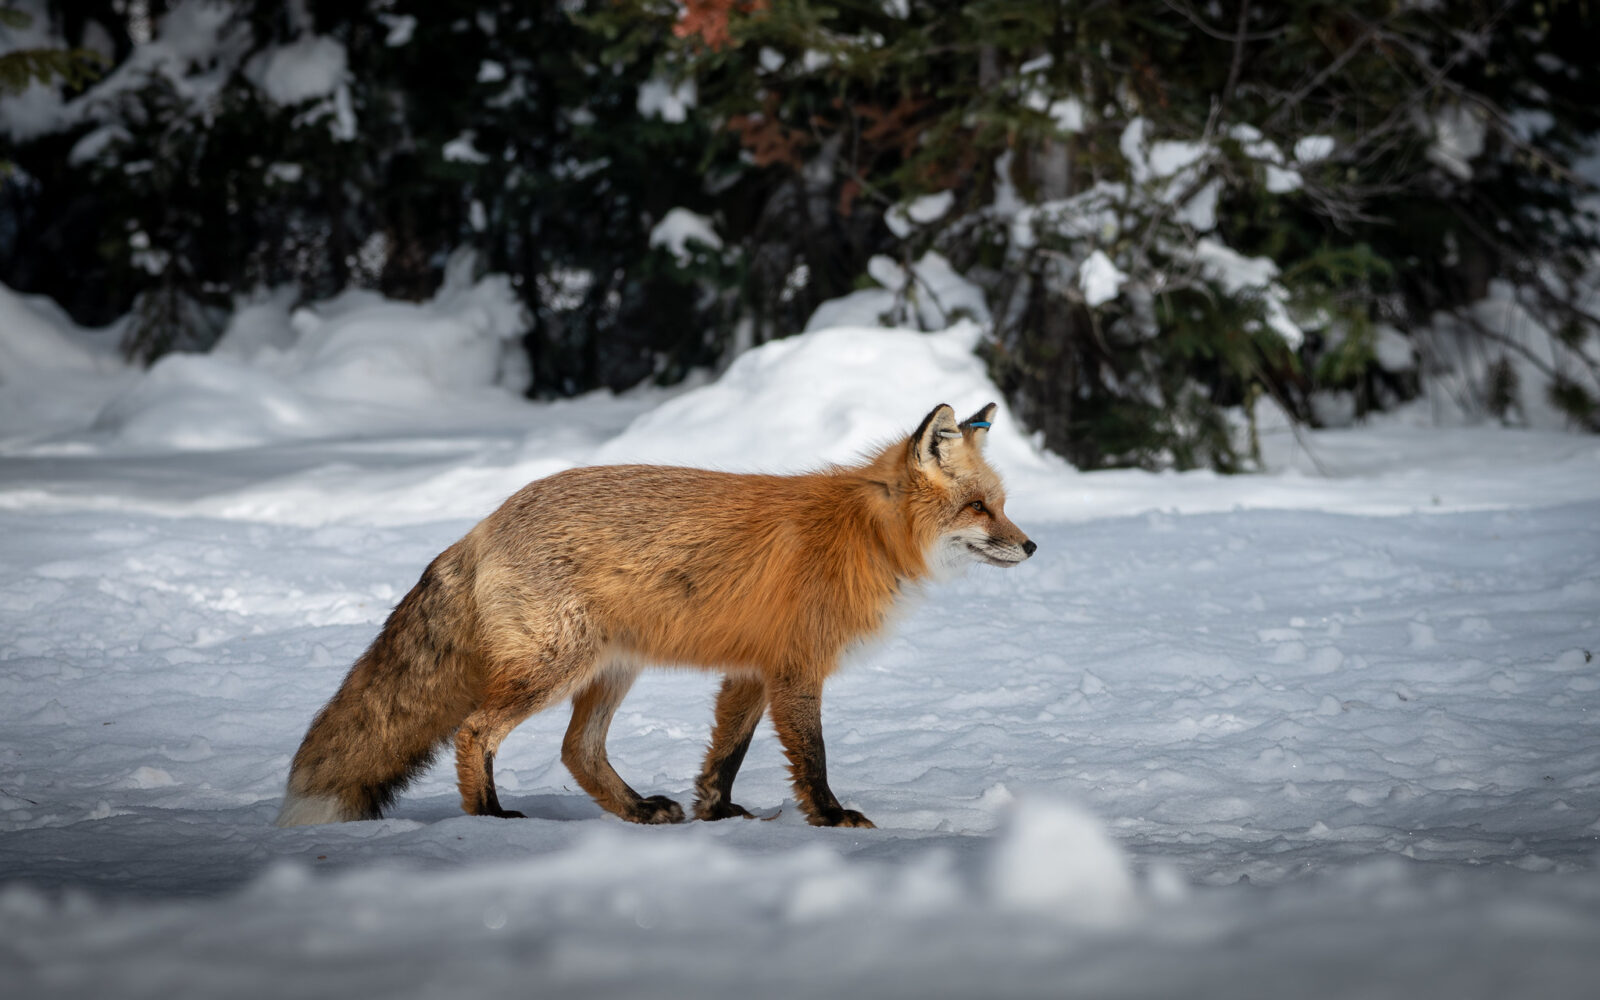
[{"x": 828, "y": 396}]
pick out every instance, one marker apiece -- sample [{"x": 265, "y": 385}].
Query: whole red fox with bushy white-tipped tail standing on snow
[{"x": 583, "y": 577}]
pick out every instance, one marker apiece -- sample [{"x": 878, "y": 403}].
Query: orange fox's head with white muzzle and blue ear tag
[{"x": 958, "y": 497}]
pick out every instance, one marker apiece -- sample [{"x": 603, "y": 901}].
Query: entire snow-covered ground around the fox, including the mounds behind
[{"x": 1326, "y": 732}]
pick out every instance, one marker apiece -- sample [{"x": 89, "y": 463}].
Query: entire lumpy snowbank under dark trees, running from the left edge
[{"x": 340, "y": 367}]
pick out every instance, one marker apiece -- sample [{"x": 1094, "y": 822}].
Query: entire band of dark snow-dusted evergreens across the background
[{"x": 1174, "y": 210}]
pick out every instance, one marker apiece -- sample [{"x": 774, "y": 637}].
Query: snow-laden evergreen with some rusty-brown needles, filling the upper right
[{"x": 1260, "y": 185}]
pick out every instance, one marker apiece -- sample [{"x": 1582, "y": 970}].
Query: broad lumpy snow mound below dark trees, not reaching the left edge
[{"x": 329, "y": 370}]
